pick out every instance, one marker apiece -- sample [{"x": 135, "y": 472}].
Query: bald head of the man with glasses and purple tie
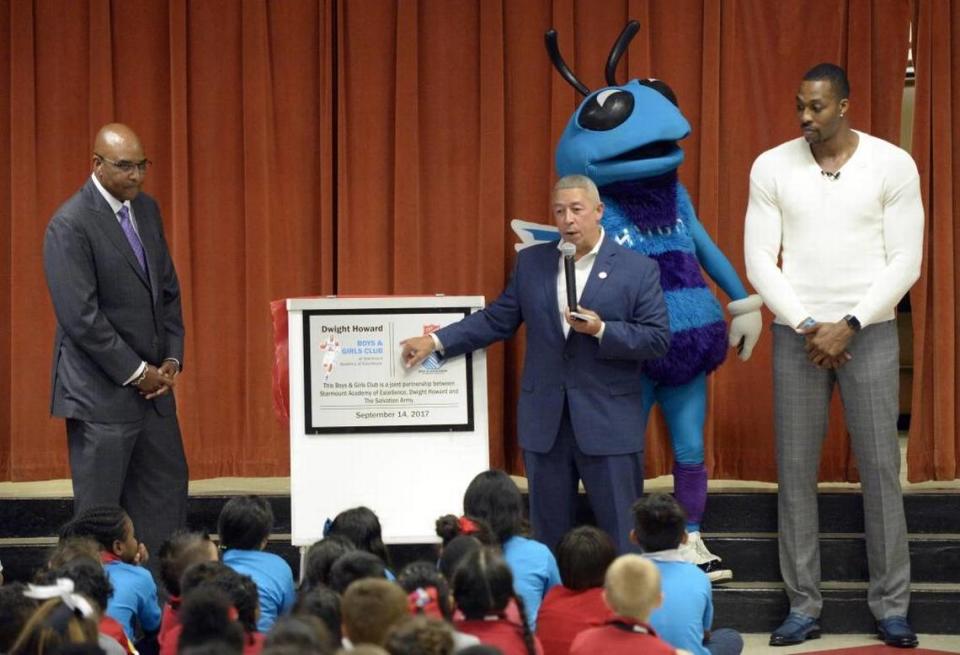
[{"x": 118, "y": 161}]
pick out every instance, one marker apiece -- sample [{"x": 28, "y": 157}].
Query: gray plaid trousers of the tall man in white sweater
[{"x": 868, "y": 388}]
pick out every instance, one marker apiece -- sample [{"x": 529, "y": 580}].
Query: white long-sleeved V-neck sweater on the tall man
[{"x": 848, "y": 246}]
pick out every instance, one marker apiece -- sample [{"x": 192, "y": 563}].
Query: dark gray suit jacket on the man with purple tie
[{"x": 110, "y": 315}]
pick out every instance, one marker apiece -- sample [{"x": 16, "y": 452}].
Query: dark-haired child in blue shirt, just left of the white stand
[{"x": 244, "y": 525}]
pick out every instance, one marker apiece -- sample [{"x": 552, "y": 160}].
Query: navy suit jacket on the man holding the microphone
[{"x": 600, "y": 380}]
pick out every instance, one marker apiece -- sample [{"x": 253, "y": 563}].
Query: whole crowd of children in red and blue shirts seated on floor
[{"x": 472, "y": 600}]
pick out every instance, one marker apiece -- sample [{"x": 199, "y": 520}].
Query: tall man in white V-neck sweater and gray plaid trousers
[{"x": 843, "y": 211}]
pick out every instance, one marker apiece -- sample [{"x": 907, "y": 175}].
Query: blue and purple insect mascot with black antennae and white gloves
[{"x": 625, "y": 139}]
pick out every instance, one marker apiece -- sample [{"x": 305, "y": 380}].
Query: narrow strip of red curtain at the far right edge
[{"x": 934, "y": 451}]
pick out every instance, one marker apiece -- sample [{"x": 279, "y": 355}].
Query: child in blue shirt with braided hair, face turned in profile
[{"x": 134, "y": 601}]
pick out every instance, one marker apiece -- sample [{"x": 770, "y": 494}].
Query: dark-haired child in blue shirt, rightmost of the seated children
[{"x": 685, "y": 617}]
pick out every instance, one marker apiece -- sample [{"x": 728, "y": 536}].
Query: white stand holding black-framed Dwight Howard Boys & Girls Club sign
[{"x": 366, "y": 431}]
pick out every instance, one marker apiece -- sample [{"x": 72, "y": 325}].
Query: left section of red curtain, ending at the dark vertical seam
[{"x": 233, "y": 102}]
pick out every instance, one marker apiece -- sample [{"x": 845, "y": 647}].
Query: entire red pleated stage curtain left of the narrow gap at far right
[{"x": 380, "y": 147}]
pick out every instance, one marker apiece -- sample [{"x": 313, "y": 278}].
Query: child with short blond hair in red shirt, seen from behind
[{"x": 632, "y": 592}]
